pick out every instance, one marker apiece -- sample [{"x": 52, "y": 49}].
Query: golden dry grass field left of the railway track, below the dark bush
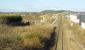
[{"x": 24, "y": 37}]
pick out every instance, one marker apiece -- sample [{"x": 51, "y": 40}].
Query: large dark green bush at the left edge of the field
[{"x": 10, "y": 19}]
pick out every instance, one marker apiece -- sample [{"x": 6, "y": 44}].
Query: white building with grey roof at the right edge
[{"x": 77, "y": 18}]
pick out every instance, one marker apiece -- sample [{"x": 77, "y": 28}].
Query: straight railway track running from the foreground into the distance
[{"x": 59, "y": 35}]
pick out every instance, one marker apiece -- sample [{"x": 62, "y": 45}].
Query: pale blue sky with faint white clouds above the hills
[{"x": 40, "y": 5}]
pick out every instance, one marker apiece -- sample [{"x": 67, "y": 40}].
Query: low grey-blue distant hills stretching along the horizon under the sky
[{"x": 42, "y": 12}]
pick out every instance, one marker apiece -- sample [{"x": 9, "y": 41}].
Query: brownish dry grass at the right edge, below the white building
[{"x": 79, "y": 34}]
